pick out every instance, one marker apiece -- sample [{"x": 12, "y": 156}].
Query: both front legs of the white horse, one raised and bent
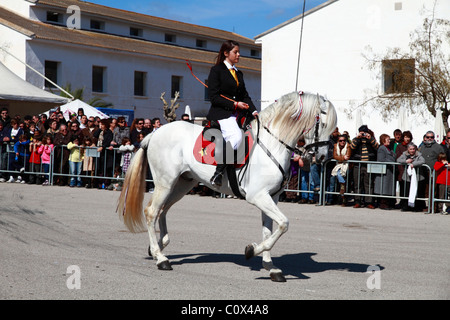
[{"x": 270, "y": 213}]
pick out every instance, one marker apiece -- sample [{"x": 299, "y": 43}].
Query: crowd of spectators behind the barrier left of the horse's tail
[{"x": 81, "y": 145}]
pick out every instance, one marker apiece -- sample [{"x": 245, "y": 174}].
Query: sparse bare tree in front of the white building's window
[{"x": 418, "y": 80}]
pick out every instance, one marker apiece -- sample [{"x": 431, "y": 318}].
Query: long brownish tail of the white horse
[{"x": 132, "y": 195}]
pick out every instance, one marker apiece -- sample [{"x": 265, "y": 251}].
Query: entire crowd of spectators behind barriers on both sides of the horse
[{"x": 27, "y": 145}]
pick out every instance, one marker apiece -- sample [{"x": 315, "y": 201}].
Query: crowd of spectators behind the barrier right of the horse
[{"x": 351, "y": 182}]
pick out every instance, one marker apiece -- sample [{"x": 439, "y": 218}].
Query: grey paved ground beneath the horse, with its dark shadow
[{"x": 325, "y": 254}]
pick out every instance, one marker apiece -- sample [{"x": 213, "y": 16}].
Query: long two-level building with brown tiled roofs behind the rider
[{"x": 123, "y": 57}]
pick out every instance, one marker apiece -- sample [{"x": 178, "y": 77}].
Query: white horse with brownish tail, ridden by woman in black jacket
[{"x": 175, "y": 171}]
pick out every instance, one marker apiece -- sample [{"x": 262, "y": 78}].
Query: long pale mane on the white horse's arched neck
[{"x": 294, "y": 115}]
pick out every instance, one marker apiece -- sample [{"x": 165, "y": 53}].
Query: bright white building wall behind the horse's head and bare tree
[{"x": 335, "y": 35}]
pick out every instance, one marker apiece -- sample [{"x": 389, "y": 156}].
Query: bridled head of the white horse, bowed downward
[{"x": 318, "y": 137}]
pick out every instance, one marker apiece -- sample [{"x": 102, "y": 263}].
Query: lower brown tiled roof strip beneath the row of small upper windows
[{"x": 60, "y": 34}]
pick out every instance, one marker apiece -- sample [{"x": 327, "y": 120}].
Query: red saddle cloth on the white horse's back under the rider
[{"x": 204, "y": 150}]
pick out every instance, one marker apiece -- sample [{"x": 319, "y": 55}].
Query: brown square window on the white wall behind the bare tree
[{"x": 398, "y": 76}]
